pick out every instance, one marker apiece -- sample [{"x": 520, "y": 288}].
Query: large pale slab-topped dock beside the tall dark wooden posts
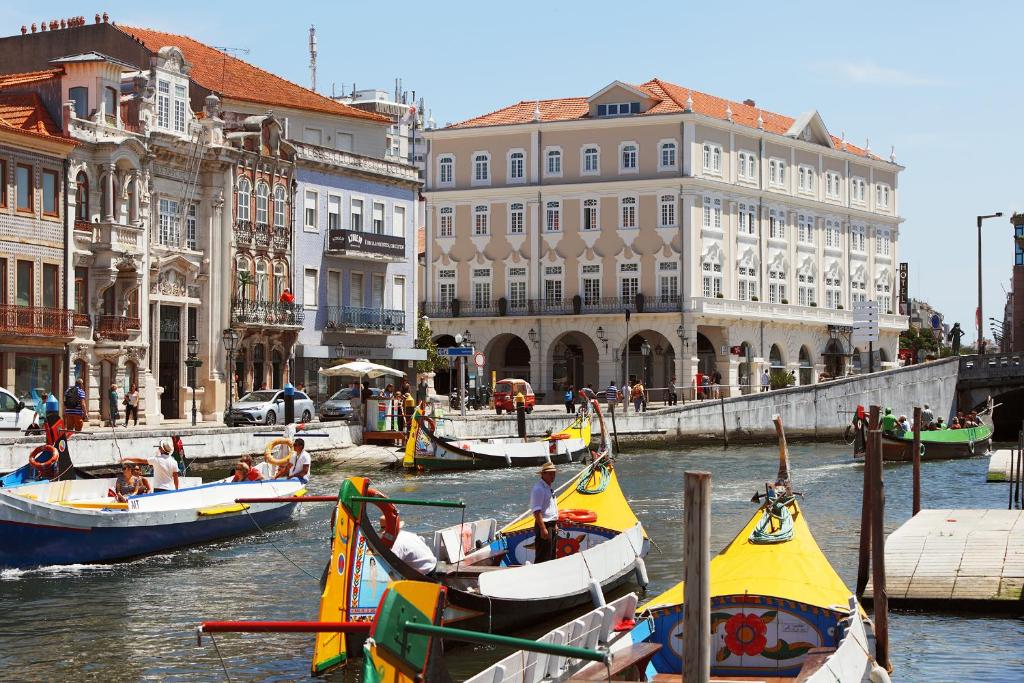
[{"x": 957, "y": 560}]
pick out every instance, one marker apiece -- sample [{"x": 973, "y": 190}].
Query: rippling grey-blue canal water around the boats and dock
[{"x": 137, "y": 621}]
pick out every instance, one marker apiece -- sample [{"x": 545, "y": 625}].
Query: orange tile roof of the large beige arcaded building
[{"x": 669, "y": 99}]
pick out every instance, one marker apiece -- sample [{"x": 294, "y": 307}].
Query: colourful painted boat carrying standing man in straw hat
[{"x": 491, "y": 584}]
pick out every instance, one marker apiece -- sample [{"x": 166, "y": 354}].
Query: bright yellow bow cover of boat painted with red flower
[{"x": 795, "y": 570}]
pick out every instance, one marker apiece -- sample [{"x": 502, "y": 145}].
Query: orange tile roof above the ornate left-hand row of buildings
[{"x": 237, "y": 79}]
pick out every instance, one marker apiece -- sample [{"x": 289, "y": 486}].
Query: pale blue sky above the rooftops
[{"x": 940, "y": 81}]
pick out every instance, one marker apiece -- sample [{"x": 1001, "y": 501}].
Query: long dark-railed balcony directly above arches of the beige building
[{"x": 572, "y": 307}]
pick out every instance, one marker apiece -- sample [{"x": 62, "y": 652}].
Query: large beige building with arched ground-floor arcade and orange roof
[{"x": 656, "y": 232}]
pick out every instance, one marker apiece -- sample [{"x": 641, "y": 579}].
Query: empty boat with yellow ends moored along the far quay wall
[{"x": 429, "y": 451}]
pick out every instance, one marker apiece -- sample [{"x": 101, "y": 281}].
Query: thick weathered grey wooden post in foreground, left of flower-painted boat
[{"x": 697, "y": 574}]
